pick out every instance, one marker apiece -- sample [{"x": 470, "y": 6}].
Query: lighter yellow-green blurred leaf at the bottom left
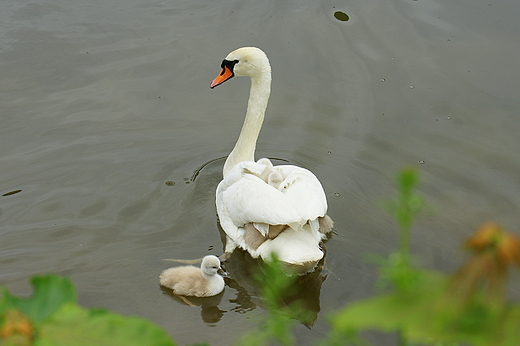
[{"x": 73, "y": 325}]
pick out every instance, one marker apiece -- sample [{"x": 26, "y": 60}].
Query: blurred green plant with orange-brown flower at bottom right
[{"x": 431, "y": 308}]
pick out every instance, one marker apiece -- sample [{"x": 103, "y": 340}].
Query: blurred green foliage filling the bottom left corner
[{"x": 51, "y": 317}]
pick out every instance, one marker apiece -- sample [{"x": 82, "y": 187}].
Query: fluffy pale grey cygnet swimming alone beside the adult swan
[{"x": 193, "y": 281}]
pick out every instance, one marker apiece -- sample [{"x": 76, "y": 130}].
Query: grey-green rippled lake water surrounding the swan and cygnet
[{"x": 112, "y": 134}]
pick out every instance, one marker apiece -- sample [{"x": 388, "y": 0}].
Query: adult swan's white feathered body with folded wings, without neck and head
[{"x": 281, "y": 209}]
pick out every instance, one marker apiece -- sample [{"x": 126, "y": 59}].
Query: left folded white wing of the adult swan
[{"x": 250, "y": 199}]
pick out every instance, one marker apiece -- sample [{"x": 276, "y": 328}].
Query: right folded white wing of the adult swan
[{"x": 304, "y": 191}]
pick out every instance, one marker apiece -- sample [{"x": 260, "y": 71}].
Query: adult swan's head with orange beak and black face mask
[{"x": 246, "y": 61}]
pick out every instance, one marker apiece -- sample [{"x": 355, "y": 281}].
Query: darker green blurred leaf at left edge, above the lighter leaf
[{"x": 50, "y": 292}]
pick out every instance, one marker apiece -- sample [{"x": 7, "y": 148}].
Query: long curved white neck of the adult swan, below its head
[{"x": 244, "y": 149}]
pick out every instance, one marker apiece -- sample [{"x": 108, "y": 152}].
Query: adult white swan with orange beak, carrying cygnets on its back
[{"x": 264, "y": 208}]
